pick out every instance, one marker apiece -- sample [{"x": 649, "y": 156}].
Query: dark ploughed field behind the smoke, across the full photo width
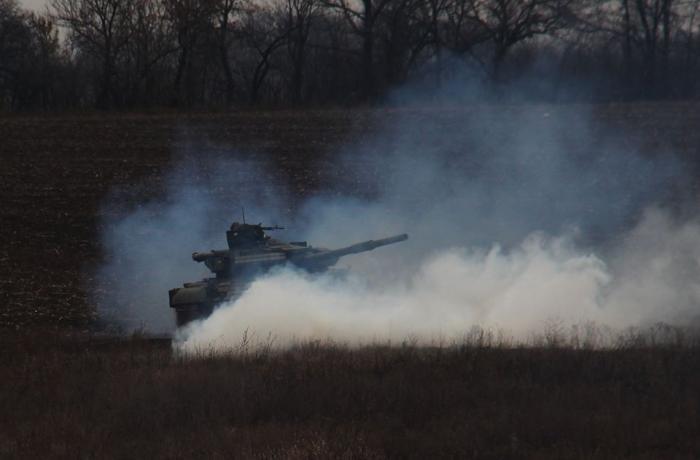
[{"x": 56, "y": 173}]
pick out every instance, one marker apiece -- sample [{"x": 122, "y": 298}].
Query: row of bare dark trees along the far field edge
[{"x": 127, "y": 54}]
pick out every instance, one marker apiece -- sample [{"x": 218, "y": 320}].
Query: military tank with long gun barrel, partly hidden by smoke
[{"x": 250, "y": 254}]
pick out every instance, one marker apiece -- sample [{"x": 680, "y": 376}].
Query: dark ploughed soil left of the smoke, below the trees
[{"x": 56, "y": 173}]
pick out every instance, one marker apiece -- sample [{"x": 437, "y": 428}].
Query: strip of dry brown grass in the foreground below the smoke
[{"x": 134, "y": 398}]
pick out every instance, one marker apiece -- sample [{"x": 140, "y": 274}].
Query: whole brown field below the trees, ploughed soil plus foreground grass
[{"x": 66, "y": 393}]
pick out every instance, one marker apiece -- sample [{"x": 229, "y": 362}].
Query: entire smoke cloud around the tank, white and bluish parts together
[{"x": 518, "y": 216}]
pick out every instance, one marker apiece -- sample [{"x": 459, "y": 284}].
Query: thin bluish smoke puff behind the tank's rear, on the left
[{"x": 149, "y": 245}]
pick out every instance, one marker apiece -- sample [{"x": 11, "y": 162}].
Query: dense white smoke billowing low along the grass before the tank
[{"x": 543, "y": 281}]
